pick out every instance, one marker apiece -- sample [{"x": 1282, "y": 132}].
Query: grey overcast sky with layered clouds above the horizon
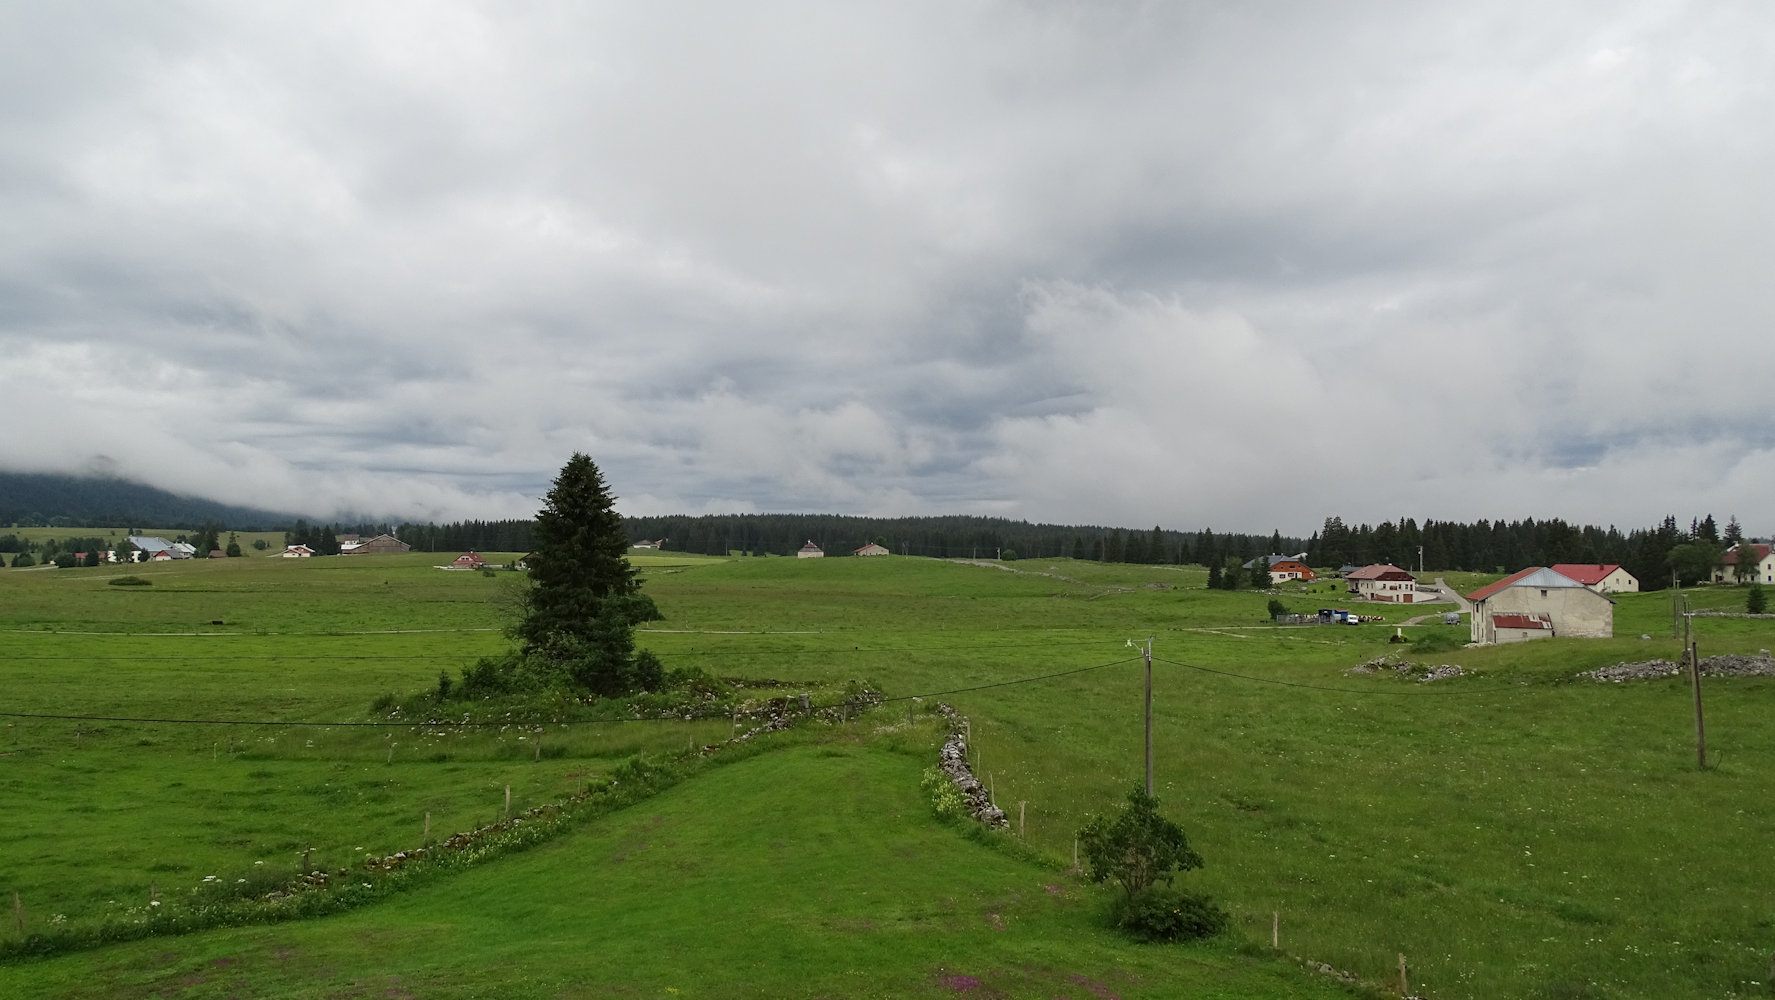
[{"x": 1235, "y": 266}]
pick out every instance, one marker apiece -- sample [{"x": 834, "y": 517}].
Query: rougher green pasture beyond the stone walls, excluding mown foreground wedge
[{"x": 1513, "y": 834}]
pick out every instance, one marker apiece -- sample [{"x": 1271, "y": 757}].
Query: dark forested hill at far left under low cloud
[{"x": 51, "y": 500}]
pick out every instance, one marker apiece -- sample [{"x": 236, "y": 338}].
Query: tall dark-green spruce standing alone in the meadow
[{"x": 585, "y": 599}]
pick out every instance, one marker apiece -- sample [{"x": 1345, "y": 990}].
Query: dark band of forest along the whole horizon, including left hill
[{"x": 1655, "y": 555}]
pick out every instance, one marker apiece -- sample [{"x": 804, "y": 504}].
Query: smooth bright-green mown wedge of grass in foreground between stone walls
[{"x": 807, "y": 873}]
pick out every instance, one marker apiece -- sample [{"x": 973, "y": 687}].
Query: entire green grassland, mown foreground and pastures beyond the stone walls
[{"x": 1510, "y": 832}]
